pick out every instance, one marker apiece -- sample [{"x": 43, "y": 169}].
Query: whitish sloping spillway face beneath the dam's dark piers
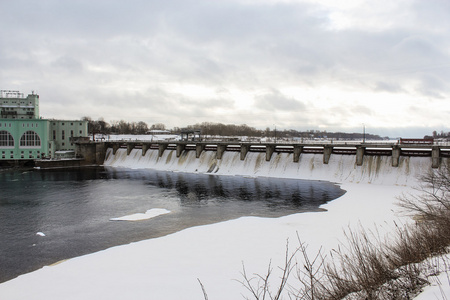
[{"x": 341, "y": 168}]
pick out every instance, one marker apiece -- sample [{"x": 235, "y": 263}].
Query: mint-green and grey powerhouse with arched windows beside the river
[{"x": 26, "y": 136}]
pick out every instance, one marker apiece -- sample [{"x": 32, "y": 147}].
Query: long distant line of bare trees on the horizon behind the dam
[{"x": 219, "y": 129}]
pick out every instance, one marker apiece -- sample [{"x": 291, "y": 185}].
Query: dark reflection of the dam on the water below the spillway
[{"x": 279, "y": 194}]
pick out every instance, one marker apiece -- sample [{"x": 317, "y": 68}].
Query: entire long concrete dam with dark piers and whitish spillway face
[{"x": 377, "y": 163}]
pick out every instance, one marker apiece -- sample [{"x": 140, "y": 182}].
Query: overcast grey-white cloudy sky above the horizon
[{"x": 301, "y": 64}]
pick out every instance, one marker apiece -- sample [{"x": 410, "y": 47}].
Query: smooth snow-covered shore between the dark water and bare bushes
[{"x": 168, "y": 267}]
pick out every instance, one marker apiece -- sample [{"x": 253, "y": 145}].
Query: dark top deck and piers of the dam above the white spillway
[{"x": 360, "y": 150}]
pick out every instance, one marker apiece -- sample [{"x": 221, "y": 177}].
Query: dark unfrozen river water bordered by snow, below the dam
[{"x": 73, "y": 208}]
